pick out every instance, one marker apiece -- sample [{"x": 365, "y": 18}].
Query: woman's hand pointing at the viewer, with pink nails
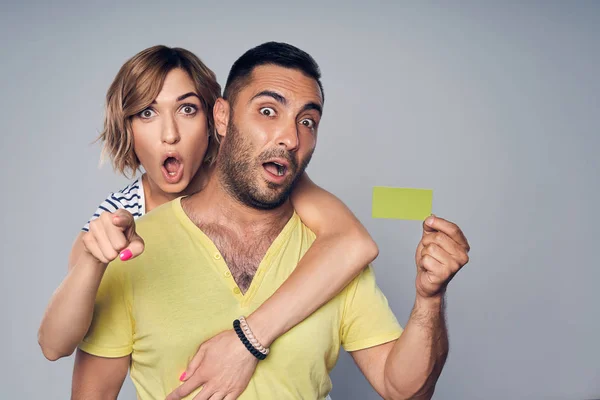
[{"x": 112, "y": 235}]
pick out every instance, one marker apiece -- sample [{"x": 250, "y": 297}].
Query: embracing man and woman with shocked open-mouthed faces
[{"x": 171, "y": 307}]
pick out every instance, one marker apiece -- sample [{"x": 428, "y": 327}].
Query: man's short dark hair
[{"x": 270, "y": 53}]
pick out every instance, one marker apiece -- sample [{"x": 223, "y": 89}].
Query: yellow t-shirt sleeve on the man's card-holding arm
[{"x": 367, "y": 320}]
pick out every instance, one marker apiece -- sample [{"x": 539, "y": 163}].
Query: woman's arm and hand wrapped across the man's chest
[{"x": 342, "y": 249}]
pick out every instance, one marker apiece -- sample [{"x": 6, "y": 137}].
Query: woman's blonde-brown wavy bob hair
[{"x": 137, "y": 85}]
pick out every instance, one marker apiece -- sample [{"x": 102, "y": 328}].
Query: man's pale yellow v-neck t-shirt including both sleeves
[{"x": 160, "y": 306}]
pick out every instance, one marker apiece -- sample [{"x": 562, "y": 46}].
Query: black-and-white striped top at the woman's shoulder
[{"x": 130, "y": 198}]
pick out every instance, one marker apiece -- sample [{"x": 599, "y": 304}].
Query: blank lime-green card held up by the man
[{"x": 401, "y": 203}]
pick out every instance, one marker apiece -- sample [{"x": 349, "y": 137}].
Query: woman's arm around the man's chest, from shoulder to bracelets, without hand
[{"x": 342, "y": 249}]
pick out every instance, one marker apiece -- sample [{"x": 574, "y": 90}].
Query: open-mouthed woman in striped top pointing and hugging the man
[{"x": 159, "y": 117}]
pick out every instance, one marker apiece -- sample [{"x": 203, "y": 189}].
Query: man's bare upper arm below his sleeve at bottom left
[{"x": 98, "y": 378}]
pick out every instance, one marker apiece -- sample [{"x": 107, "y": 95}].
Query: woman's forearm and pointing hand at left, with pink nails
[{"x": 69, "y": 313}]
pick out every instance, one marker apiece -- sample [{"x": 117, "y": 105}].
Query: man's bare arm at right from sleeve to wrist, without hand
[{"x": 409, "y": 367}]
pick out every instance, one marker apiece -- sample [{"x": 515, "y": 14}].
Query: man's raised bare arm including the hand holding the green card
[{"x": 410, "y": 367}]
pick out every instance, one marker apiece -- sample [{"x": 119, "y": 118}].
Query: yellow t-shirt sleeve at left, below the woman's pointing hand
[{"x": 111, "y": 331}]
